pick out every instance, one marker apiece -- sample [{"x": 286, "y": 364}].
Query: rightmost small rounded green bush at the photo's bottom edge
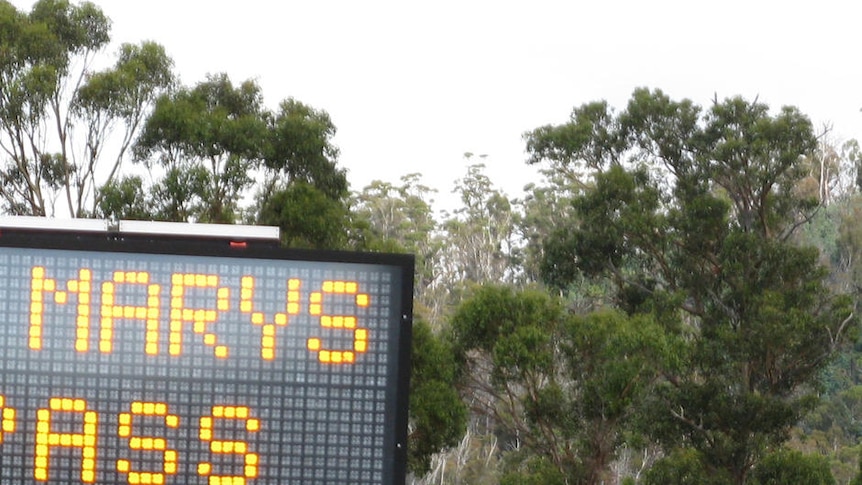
[{"x": 790, "y": 466}]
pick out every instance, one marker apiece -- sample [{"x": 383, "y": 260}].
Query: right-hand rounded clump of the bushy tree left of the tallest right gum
[{"x": 613, "y": 361}]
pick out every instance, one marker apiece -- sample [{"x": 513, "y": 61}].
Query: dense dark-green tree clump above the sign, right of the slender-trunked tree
[{"x": 215, "y": 137}]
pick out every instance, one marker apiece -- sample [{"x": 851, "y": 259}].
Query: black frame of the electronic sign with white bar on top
[{"x": 173, "y": 241}]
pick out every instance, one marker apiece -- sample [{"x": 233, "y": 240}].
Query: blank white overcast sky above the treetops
[{"x": 413, "y": 85}]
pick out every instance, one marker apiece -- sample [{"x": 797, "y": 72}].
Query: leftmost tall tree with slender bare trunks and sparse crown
[{"x": 58, "y": 116}]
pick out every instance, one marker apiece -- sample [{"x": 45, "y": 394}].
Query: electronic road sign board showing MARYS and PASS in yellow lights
[{"x": 171, "y": 361}]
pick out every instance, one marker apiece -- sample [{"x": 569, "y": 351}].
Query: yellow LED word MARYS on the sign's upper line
[{"x": 180, "y": 315}]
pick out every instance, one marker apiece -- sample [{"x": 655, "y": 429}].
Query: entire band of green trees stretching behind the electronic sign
[{"x": 675, "y": 302}]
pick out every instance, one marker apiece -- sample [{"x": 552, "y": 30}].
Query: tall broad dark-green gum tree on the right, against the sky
[{"x": 691, "y": 218}]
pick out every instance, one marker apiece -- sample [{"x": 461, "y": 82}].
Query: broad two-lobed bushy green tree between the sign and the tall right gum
[{"x": 570, "y": 388}]
